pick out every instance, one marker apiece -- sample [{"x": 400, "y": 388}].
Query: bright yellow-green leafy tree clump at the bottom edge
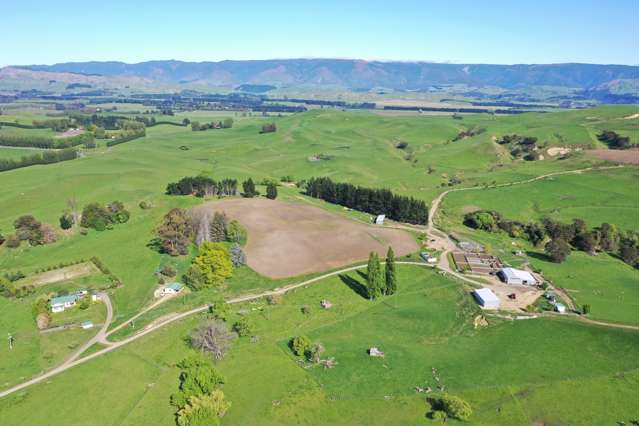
[{"x": 199, "y": 400}]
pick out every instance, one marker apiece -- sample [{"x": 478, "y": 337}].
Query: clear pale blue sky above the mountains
[{"x": 460, "y": 31}]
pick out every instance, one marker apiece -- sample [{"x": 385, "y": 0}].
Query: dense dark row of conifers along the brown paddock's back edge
[{"x": 374, "y": 201}]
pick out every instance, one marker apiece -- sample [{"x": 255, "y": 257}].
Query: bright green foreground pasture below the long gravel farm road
[{"x": 511, "y": 372}]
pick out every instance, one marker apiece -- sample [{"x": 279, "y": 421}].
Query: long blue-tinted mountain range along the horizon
[{"x": 358, "y": 74}]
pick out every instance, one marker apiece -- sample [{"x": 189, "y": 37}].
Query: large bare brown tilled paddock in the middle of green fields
[{"x": 289, "y": 239}]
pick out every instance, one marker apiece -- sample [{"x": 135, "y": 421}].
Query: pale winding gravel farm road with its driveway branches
[{"x": 438, "y": 239}]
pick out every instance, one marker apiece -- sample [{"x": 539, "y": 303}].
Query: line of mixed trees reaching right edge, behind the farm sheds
[{"x": 559, "y": 239}]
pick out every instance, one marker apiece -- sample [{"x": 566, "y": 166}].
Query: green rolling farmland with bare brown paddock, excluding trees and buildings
[{"x": 511, "y": 372}]
